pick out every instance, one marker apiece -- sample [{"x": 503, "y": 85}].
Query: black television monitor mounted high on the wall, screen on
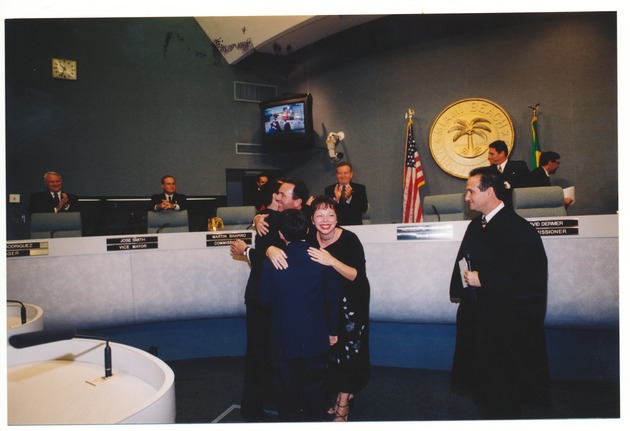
[{"x": 287, "y": 122}]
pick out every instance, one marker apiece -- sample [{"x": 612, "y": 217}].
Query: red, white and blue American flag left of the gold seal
[{"x": 413, "y": 180}]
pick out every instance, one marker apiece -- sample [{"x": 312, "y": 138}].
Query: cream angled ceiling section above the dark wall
[{"x": 236, "y": 37}]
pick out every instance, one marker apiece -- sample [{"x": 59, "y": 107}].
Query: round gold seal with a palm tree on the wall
[{"x": 460, "y": 135}]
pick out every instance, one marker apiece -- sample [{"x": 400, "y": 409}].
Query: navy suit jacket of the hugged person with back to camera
[{"x": 304, "y": 300}]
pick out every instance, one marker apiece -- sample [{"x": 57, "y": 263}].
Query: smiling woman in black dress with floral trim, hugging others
[{"x": 349, "y": 367}]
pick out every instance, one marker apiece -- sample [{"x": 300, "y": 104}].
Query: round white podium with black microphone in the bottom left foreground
[{"x": 63, "y": 383}]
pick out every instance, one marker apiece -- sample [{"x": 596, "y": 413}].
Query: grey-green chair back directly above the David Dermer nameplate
[{"x": 539, "y": 201}]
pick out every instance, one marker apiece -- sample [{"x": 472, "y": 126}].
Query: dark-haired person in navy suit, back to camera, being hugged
[{"x": 304, "y": 300}]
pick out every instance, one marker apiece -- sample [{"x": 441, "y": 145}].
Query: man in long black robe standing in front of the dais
[{"x": 500, "y": 352}]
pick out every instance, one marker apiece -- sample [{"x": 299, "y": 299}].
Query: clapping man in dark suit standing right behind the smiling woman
[{"x": 351, "y": 198}]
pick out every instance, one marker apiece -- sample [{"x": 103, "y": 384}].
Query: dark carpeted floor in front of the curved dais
[{"x": 208, "y": 390}]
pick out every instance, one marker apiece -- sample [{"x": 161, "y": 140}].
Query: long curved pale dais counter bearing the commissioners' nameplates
[{"x": 179, "y": 276}]
